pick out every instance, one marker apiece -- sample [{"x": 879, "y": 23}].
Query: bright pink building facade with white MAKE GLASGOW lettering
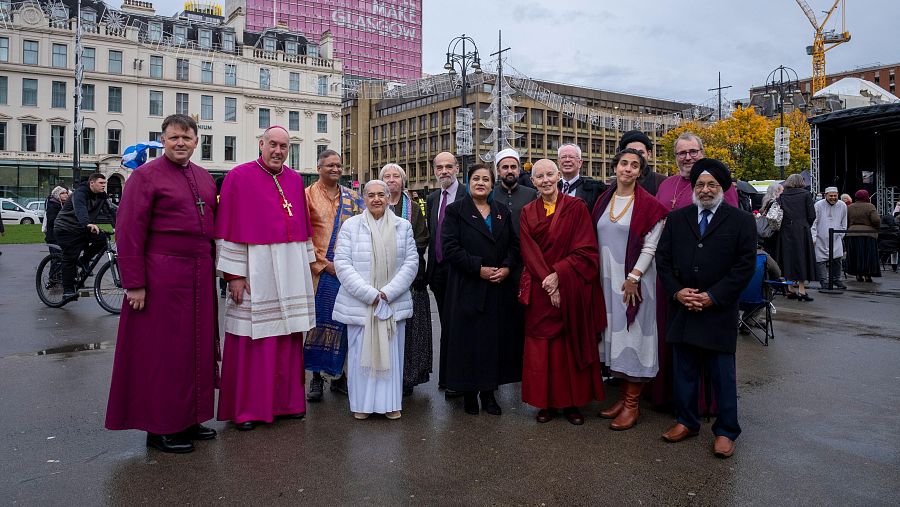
[{"x": 379, "y": 39}]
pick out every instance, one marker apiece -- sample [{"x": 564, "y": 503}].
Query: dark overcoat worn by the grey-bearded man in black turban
[{"x": 721, "y": 263}]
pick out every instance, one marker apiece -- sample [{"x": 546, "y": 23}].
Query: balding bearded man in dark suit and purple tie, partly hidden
[{"x": 446, "y": 169}]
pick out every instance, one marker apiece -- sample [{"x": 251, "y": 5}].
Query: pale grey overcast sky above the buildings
[{"x": 662, "y": 48}]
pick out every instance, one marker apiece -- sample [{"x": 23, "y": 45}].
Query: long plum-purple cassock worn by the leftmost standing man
[{"x": 163, "y": 378}]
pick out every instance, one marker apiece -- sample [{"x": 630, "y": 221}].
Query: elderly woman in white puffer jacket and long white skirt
[{"x": 376, "y": 261}]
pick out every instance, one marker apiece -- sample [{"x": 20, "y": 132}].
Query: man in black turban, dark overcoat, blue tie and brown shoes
[{"x": 706, "y": 257}]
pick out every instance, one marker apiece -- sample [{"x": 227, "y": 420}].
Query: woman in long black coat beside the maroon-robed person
[{"x": 481, "y": 247}]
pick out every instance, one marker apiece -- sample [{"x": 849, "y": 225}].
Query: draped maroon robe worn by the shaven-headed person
[{"x": 562, "y": 365}]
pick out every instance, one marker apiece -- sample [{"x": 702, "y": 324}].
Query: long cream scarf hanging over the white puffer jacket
[{"x": 375, "y": 357}]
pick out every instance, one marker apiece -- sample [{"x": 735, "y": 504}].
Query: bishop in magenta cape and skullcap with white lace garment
[{"x": 263, "y": 235}]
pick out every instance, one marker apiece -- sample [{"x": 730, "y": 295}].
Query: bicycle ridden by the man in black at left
[{"x": 108, "y": 289}]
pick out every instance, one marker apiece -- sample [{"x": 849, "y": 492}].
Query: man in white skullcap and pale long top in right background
[{"x": 831, "y": 213}]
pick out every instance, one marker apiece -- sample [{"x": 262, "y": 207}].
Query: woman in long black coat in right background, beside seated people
[{"x": 794, "y": 248}]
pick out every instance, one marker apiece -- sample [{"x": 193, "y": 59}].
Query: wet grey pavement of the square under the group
[{"x": 818, "y": 407}]
